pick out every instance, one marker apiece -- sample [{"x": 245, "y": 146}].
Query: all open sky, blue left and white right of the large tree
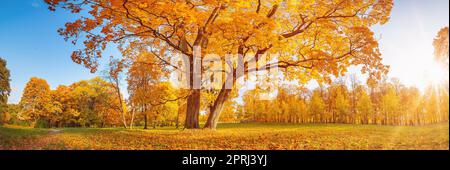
[{"x": 33, "y": 48}]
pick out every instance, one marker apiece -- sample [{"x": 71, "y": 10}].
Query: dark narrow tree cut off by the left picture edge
[{"x": 5, "y": 88}]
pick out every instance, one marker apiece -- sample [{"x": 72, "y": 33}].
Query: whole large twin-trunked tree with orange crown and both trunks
[{"x": 316, "y": 38}]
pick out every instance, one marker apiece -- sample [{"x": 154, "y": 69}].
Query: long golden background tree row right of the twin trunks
[{"x": 385, "y": 103}]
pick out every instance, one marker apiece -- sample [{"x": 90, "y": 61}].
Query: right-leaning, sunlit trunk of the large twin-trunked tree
[{"x": 217, "y": 108}]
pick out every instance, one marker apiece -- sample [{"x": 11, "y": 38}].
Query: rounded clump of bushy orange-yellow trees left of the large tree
[{"x": 89, "y": 103}]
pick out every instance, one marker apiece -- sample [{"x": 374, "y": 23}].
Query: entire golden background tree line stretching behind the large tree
[{"x": 95, "y": 103}]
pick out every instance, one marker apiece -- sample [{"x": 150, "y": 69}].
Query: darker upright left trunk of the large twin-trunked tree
[{"x": 193, "y": 110}]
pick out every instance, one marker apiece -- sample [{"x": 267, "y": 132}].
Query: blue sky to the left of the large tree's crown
[{"x": 32, "y": 47}]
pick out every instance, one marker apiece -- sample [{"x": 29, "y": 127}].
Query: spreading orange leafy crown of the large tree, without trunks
[{"x": 335, "y": 33}]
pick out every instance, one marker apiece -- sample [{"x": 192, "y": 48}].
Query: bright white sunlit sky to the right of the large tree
[{"x": 406, "y": 41}]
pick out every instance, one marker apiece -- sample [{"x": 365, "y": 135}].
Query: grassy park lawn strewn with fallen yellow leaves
[{"x": 255, "y": 136}]
